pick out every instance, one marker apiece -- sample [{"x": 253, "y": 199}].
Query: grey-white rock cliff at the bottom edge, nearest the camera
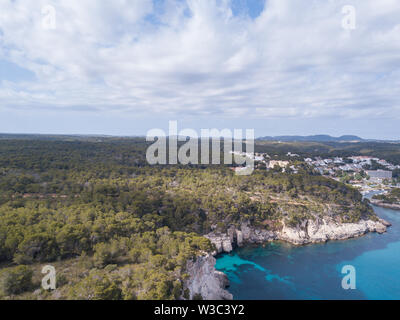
[{"x": 205, "y": 280}]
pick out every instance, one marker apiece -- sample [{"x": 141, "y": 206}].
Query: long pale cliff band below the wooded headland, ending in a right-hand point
[{"x": 311, "y": 231}]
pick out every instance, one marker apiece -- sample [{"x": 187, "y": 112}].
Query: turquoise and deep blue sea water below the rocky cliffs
[{"x": 282, "y": 271}]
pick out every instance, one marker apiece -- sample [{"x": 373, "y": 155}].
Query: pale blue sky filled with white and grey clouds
[{"x": 123, "y": 67}]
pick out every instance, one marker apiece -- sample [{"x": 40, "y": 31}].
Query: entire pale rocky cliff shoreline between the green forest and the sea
[{"x": 205, "y": 280}]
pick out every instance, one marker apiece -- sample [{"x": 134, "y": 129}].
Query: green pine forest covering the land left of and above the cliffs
[{"x": 117, "y": 228}]
